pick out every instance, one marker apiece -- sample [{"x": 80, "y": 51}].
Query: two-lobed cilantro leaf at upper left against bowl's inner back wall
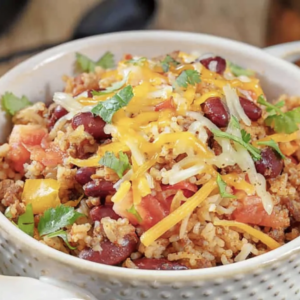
[{"x": 87, "y": 65}]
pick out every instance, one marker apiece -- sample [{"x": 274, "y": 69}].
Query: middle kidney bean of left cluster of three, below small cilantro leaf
[{"x": 99, "y": 188}]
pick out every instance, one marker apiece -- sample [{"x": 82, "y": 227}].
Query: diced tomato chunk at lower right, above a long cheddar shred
[{"x": 251, "y": 211}]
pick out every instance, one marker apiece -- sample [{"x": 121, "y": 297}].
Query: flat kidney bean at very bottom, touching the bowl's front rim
[{"x": 158, "y": 264}]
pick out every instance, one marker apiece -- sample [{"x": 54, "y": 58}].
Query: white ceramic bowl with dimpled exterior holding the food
[{"x": 275, "y": 274}]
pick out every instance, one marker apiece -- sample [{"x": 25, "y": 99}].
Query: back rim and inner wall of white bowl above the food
[{"x": 39, "y": 77}]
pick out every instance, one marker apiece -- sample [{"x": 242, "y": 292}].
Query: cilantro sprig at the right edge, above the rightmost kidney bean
[{"x": 282, "y": 122}]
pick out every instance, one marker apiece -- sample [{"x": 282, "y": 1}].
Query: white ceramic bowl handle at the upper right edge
[{"x": 286, "y": 51}]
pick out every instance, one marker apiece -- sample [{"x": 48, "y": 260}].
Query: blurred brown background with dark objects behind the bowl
[{"x": 28, "y": 26}]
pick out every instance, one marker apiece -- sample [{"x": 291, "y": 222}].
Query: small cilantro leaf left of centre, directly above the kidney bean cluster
[{"x": 119, "y": 165}]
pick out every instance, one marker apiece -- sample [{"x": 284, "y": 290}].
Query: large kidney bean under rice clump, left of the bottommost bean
[{"x": 111, "y": 254}]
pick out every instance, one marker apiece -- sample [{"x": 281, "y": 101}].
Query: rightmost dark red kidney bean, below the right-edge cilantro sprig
[{"x": 270, "y": 165}]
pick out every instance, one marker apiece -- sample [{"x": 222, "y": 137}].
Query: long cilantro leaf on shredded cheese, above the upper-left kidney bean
[{"x": 107, "y": 108}]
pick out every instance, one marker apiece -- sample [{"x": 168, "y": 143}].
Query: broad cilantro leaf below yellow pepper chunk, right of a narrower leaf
[{"x": 56, "y": 218}]
